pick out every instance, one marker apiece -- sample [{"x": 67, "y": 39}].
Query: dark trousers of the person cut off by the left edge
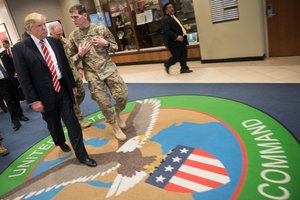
[{"x": 11, "y": 96}]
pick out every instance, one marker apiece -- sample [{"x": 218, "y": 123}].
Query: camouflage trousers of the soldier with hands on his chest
[{"x": 102, "y": 91}]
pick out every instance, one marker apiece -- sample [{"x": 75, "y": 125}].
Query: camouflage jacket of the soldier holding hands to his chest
[{"x": 96, "y": 62}]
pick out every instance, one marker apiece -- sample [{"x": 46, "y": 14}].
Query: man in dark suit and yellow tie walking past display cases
[{"x": 175, "y": 39}]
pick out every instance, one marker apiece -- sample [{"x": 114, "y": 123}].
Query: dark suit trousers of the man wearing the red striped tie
[{"x": 64, "y": 110}]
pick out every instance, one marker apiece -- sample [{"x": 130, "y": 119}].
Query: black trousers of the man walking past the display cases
[{"x": 179, "y": 54}]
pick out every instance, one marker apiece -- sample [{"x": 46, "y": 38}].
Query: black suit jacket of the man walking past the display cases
[{"x": 171, "y": 30}]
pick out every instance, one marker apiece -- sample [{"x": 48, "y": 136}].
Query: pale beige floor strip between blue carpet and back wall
[{"x": 270, "y": 70}]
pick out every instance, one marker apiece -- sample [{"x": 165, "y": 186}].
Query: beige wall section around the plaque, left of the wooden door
[{"x": 234, "y": 39}]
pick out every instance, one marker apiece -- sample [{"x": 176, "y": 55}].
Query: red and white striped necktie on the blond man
[{"x": 51, "y": 66}]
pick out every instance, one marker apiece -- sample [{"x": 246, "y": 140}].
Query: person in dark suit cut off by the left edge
[{"x": 9, "y": 92}]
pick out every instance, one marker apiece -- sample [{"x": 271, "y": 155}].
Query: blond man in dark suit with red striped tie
[{"x": 48, "y": 84}]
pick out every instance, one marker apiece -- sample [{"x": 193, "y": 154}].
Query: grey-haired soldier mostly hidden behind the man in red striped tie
[{"x": 56, "y": 31}]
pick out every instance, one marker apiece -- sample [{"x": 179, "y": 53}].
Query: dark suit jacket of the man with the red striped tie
[{"x": 34, "y": 74}]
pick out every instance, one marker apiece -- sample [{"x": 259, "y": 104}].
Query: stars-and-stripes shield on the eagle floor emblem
[{"x": 189, "y": 170}]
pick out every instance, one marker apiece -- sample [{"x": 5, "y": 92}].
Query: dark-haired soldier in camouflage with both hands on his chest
[{"x": 91, "y": 44}]
